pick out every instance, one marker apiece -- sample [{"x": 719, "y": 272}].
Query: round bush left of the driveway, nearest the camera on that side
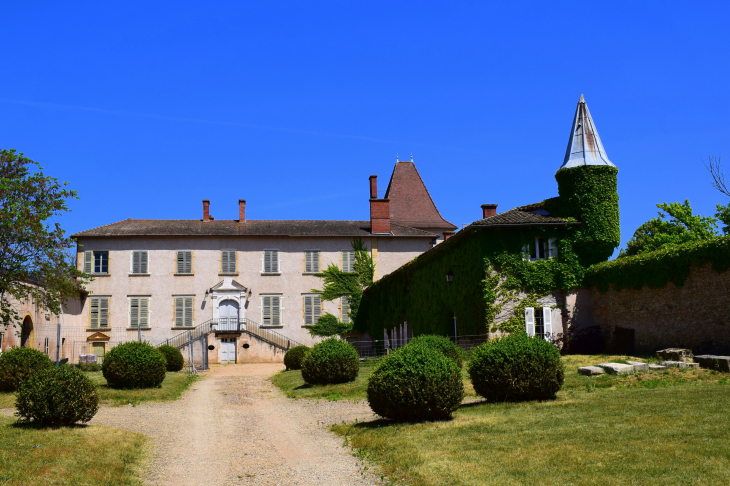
[{"x": 57, "y": 396}]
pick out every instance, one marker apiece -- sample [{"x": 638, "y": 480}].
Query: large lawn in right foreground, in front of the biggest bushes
[{"x": 629, "y": 436}]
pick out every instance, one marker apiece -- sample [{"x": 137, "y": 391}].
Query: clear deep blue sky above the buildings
[{"x": 149, "y": 107}]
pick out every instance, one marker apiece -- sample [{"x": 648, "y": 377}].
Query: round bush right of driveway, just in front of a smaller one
[{"x": 331, "y": 361}]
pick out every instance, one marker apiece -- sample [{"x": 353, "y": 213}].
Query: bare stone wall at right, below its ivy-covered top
[{"x": 695, "y": 316}]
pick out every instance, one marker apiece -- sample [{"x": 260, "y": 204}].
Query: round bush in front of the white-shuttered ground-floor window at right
[{"x": 516, "y": 367}]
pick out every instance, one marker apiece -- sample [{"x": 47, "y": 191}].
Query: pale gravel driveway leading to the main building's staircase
[{"x": 235, "y": 427}]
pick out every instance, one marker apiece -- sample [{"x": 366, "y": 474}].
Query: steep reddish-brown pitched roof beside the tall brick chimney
[{"x": 410, "y": 202}]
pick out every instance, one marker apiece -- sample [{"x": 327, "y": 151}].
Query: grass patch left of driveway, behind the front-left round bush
[{"x": 173, "y": 386}]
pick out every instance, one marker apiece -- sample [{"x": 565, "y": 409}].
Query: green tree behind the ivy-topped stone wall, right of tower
[{"x": 675, "y": 227}]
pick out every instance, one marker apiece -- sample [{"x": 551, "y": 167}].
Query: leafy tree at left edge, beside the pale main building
[{"x": 35, "y": 258}]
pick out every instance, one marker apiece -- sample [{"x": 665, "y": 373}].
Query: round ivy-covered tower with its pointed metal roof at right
[{"x": 588, "y": 190}]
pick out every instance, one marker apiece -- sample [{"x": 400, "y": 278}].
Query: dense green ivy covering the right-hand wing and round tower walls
[{"x": 491, "y": 276}]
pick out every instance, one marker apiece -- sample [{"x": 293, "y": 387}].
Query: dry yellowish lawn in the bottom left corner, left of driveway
[{"x": 82, "y": 455}]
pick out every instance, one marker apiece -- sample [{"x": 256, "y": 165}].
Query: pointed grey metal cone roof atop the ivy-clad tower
[{"x": 584, "y": 144}]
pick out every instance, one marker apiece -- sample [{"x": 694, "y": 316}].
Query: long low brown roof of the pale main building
[{"x": 195, "y": 227}]
